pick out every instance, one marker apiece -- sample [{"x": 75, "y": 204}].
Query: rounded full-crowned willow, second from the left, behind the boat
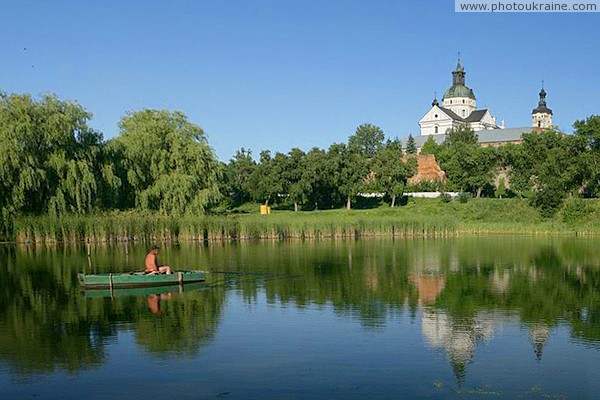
[{"x": 168, "y": 164}]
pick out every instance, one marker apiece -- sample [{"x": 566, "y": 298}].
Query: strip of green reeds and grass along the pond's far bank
[{"x": 422, "y": 217}]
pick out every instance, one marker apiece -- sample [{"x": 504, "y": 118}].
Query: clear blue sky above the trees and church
[{"x": 282, "y": 74}]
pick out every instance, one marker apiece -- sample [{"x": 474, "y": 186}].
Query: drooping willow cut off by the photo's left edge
[{"x": 50, "y": 160}]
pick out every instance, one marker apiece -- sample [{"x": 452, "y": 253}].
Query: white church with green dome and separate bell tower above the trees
[{"x": 459, "y": 108}]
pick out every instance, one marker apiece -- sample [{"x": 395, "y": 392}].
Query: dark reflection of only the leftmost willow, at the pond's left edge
[{"x": 41, "y": 328}]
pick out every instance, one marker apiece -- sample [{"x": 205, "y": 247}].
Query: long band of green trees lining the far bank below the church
[{"x": 53, "y": 162}]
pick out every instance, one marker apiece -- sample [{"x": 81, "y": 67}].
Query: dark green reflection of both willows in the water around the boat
[{"x": 46, "y": 324}]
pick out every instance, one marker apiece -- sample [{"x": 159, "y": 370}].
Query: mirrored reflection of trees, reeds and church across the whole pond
[{"x": 461, "y": 291}]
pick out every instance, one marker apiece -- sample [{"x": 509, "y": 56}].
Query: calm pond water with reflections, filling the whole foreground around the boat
[{"x": 493, "y": 317}]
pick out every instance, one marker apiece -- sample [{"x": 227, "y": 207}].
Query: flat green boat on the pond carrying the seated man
[{"x": 124, "y": 280}]
